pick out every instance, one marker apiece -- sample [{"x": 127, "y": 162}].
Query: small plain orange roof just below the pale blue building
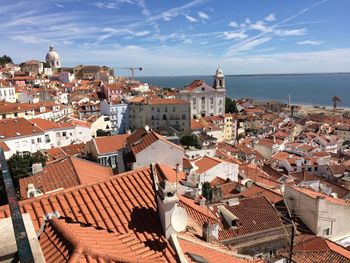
[{"x": 111, "y": 144}]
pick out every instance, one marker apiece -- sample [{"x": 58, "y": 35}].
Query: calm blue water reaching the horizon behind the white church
[{"x": 304, "y": 88}]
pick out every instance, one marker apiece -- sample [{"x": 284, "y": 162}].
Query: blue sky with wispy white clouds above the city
[{"x": 168, "y": 37}]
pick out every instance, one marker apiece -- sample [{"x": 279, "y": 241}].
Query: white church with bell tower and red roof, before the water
[{"x": 205, "y": 100}]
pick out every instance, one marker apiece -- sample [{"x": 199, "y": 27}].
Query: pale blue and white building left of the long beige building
[{"x": 118, "y": 114}]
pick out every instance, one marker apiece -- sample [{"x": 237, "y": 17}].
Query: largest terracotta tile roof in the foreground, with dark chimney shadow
[{"x": 123, "y": 206}]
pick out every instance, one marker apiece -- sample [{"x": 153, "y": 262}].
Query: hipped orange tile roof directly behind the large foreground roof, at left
[{"x": 65, "y": 173}]
